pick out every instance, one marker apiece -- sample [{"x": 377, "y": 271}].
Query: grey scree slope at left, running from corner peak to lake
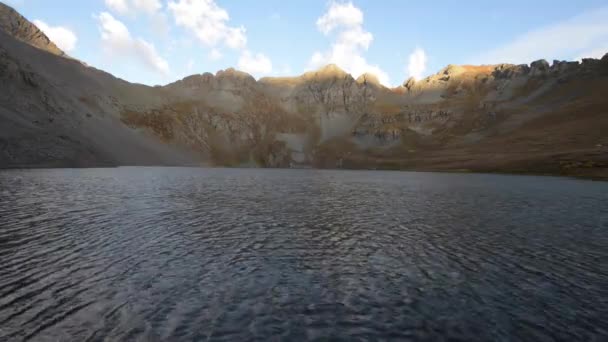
[{"x": 55, "y": 111}]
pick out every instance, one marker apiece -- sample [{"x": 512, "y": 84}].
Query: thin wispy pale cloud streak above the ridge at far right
[{"x": 568, "y": 39}]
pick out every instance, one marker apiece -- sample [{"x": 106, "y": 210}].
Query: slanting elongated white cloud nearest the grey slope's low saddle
[{"x": 117, "y": 41}]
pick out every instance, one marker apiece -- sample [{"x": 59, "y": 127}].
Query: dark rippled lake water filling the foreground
[{"x": 178, "y": 254}]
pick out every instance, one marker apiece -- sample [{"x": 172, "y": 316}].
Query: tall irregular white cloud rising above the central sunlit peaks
[{"x": 351, "y": 41}]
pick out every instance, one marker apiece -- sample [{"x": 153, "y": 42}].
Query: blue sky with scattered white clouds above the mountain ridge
[{"x": 160, "y": 41}]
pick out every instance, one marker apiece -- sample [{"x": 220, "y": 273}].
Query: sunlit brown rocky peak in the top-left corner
[{"x": 19, "y": 27}]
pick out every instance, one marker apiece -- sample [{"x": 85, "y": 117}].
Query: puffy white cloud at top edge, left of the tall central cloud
[{"x": 208, "y": 22}]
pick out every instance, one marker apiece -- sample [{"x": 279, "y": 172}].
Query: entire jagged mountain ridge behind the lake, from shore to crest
[{"x": 537, "y": 118}]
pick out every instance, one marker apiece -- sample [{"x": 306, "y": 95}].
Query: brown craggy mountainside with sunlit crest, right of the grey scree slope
[{"x": 519, "y": 118}]
